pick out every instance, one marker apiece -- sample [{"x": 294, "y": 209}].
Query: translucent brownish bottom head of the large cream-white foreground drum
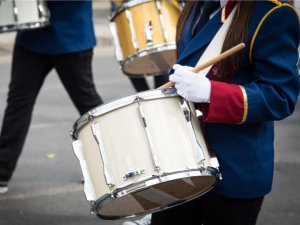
[{"x": 154, "y": 198}]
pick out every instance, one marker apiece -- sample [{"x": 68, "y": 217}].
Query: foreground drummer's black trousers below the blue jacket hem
[{"x": 211, "y": 209}]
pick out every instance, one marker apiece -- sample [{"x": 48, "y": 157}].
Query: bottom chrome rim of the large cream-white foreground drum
[{"x": 102, "y": 201}]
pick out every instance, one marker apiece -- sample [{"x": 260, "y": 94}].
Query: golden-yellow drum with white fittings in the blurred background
[{"x": 144, "y": 36}]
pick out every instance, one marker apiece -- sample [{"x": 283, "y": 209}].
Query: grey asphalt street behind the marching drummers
[{"x": 46, "y": 187}]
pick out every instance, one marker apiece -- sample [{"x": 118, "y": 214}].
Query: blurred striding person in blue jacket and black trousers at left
[{"x": 65, "y": 45}]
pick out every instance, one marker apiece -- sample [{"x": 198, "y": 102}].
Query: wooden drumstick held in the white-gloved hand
[{"x": 210, "y": 62}]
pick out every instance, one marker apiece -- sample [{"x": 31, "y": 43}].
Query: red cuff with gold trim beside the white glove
[{"x": 227, "y": 104}]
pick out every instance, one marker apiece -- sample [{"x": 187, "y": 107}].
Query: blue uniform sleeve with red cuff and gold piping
[{"x": 273, "y": 93}]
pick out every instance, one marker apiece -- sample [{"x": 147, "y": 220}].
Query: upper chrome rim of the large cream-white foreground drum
[{"x": 119, "y": 103}]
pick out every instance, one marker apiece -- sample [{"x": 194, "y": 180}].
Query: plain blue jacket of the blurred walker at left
[{"x": 70, "y": 29}]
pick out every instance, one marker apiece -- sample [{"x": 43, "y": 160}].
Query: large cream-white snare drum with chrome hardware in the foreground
[{"x": 142, "y": 153}]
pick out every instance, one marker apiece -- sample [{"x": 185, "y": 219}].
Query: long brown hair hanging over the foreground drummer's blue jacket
[{"x": 237, "y": 33}]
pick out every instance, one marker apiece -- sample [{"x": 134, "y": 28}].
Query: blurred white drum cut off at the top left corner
[{"x": 20, "y": 14}]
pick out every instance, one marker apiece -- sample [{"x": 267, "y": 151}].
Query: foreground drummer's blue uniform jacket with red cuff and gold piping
[{"x": 239, "y": 118}]
